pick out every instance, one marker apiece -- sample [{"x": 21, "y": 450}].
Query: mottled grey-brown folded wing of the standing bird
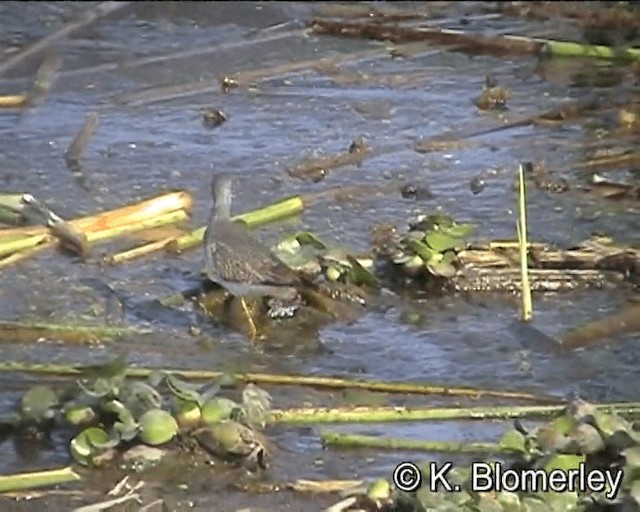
[{"x": 249, "y": 260}]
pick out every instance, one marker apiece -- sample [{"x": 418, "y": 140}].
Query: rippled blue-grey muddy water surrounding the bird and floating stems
[{"x": 145, "y": 147}]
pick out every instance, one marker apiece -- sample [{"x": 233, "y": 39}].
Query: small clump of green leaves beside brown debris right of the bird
[{"x": 430, "y": 246}]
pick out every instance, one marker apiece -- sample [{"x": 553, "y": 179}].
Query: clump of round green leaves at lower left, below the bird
[{"x": 110, "y": 411}]
